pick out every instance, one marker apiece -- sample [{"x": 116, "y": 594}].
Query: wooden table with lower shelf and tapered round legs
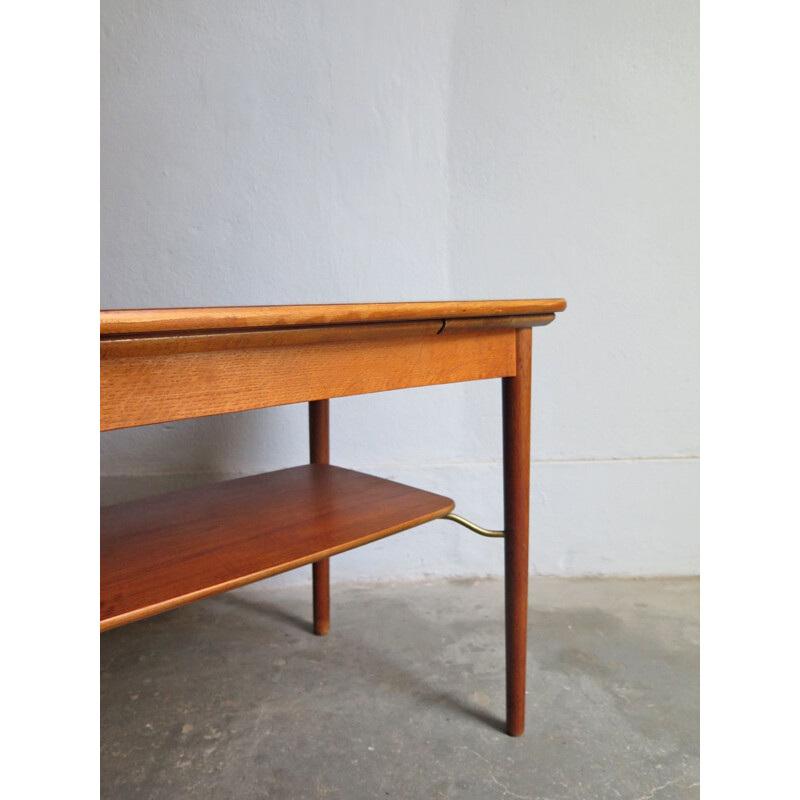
[{"x": 160, "y": 365}]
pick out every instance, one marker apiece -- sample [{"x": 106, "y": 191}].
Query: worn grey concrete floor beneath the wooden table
[{"x": 233, "y": 697}]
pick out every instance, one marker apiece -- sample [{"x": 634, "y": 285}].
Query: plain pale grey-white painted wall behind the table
[{"x": 273, "y": 152}]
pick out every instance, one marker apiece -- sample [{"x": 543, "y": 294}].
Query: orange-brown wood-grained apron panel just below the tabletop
[{"x": 173, "y": 385}]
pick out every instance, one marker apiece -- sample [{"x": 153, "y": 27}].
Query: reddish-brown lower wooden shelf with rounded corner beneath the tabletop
[{"x": 165, "y": 551}]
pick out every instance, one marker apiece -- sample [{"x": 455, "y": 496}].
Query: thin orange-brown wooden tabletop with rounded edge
[{"x": 162, "y": 320}]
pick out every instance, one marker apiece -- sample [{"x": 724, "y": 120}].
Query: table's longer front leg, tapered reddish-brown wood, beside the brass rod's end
[{"x": 516, "y": 482}]
